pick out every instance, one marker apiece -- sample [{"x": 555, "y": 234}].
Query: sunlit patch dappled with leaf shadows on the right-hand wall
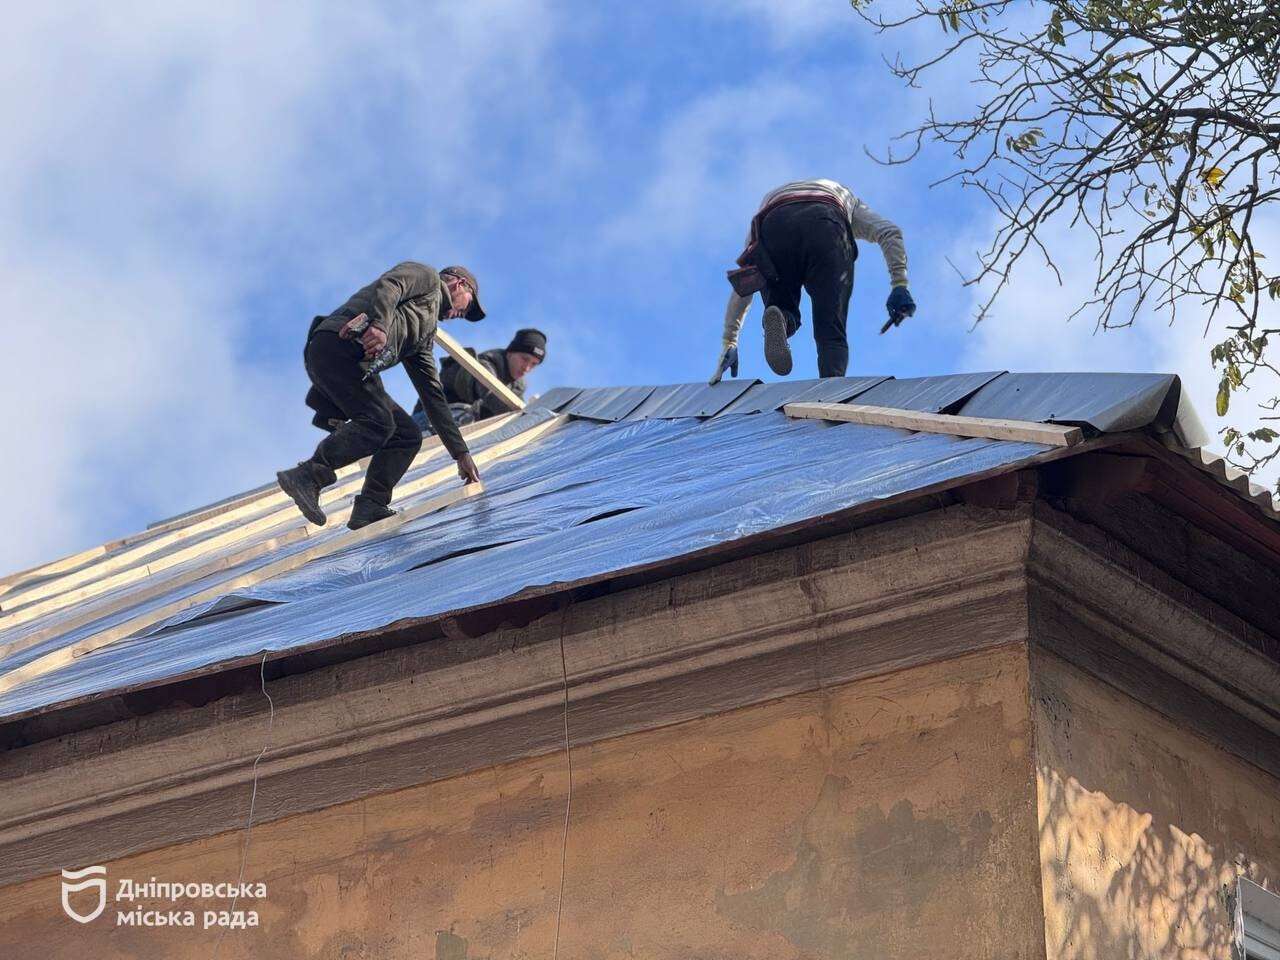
[{"x": 1124, "y": 884}]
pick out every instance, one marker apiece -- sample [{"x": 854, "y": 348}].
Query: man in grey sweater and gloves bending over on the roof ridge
[{"x": 804, "y": 235}]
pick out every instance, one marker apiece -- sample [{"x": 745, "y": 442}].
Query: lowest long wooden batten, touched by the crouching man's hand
[{"x": 345, "y": 541}]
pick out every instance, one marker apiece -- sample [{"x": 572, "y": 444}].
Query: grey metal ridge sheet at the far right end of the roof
[{"x": 1108, "y": 403}]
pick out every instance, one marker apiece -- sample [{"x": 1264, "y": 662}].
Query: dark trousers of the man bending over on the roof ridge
[{"x": 811, "y": 248}]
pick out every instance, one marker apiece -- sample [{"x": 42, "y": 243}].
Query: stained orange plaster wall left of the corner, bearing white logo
[{"x": 886, "y": 819}]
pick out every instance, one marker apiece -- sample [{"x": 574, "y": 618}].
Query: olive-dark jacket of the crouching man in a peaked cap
[{"x": 406, "y": 303}]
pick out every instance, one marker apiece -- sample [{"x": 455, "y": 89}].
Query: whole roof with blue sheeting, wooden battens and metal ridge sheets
[{"x": 586, "y": 484}]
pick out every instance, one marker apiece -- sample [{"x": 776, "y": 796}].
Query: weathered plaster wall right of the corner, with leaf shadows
[{"x": 1145, "y": 826}]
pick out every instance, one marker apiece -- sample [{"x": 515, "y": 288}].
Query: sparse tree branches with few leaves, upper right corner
[{"x": 1153, "y": 126}]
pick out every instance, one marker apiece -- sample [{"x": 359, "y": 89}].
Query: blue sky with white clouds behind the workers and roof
[{"x": 182, "y": 189}]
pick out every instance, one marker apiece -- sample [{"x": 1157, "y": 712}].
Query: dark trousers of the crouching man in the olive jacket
[{"x": 376, "y": 426}]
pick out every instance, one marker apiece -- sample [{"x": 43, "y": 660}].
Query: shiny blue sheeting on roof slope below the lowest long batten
[{"x": 655, "y": 491}]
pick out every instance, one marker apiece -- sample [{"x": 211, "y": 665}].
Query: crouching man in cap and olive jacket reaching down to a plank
[{"x": 390, "y": 322}]
